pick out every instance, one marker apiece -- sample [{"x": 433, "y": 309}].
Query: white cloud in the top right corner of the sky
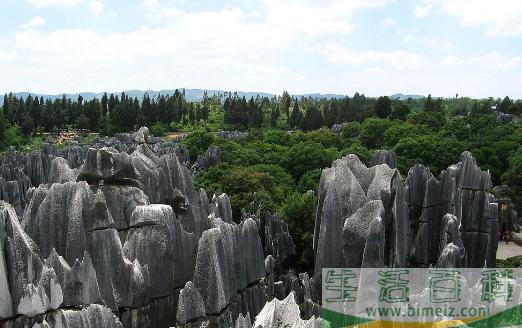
[{"x": 500, "y": 17}]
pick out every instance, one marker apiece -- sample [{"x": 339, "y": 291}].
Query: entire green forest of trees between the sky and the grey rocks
[{"x": 290, "y": 140}]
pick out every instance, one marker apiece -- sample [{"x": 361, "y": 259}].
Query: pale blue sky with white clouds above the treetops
[{"x": 442, "y": 47}]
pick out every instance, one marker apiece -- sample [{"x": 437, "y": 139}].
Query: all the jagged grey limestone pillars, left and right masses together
[{"x": 114, "y": 233}]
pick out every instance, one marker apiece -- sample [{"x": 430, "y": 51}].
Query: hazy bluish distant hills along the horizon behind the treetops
[{"x": 190, "y": 94}]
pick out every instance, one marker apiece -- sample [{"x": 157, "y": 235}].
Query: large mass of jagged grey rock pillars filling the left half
[{"x": 120, "y": 237}]
